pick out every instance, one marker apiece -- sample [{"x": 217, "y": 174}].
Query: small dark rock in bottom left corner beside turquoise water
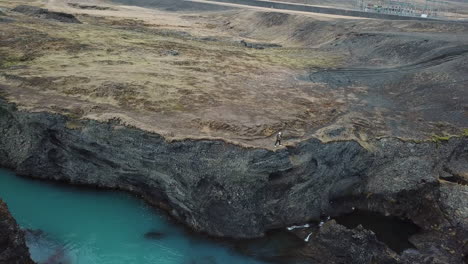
[{"x": 13, "y": 248}]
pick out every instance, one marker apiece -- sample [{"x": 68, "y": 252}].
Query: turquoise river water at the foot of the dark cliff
[{"x": 71, "y": 225}]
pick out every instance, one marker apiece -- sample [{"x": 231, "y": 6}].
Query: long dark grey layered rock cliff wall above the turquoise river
[{"x": 227, "y": 190}]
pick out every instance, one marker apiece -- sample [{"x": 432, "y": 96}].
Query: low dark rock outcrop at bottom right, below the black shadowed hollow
[{"x": 336, "y": 244}]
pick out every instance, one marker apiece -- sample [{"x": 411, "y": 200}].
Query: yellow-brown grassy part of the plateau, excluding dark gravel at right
[{"x": 186, "y": 75}]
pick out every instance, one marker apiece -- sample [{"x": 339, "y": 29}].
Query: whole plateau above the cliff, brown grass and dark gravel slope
[{"x": 187, "y": 75}]
